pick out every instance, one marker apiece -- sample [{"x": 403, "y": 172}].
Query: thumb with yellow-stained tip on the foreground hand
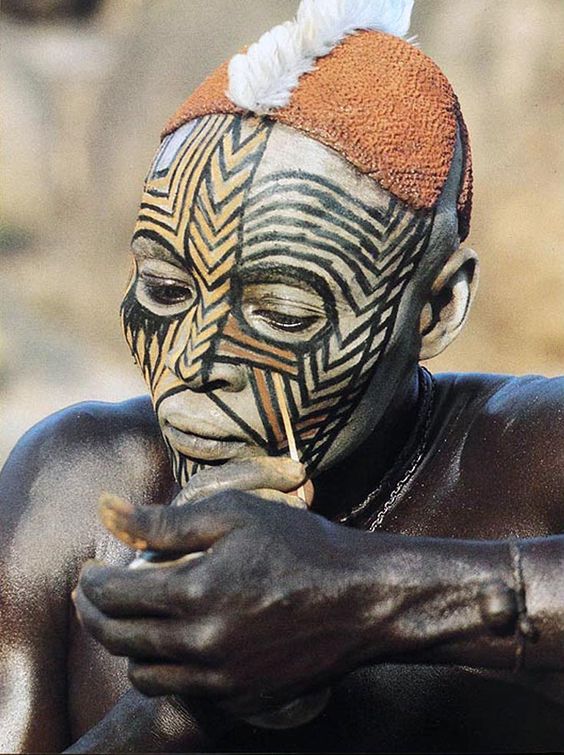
[{"x": 162, "y": 528}]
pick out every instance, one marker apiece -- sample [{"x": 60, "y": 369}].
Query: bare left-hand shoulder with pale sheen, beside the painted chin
[{"x": 52, "y": 480}]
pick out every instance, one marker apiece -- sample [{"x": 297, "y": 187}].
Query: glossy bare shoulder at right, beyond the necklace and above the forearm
[{"x": 511, "y": 431}]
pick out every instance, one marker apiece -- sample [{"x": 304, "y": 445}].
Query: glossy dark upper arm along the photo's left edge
[{"x": 37, "y": 561}]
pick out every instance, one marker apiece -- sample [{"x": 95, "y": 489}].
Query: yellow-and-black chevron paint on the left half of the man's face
[{"x": 193, "y": 207}]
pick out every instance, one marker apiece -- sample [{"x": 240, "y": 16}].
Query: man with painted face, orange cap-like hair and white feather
[{"x": 296, "y": 253}]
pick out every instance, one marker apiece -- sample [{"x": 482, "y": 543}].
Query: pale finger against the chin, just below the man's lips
[{"x": 273, "y": 473}]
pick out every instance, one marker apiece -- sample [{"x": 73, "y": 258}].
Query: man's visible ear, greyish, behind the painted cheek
[{"x": 447, "y": 307}]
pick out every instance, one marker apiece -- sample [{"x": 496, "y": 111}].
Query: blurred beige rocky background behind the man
[{"x": 86, "y": 87}]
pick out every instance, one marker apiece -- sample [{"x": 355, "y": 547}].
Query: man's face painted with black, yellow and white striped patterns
[{"x": 259, "y": 253}]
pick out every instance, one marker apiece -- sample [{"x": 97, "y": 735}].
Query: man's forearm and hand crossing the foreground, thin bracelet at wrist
[{"x": 284, "y": 601}]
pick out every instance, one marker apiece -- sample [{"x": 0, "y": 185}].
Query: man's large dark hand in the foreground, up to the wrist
[{"x": 272, "y": 608}]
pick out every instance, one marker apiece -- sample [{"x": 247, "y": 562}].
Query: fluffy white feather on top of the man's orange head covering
[{"x": 264, "y": 77}]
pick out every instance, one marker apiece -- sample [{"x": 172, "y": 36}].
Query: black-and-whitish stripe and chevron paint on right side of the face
[{"x": 366, "y": 255}]
